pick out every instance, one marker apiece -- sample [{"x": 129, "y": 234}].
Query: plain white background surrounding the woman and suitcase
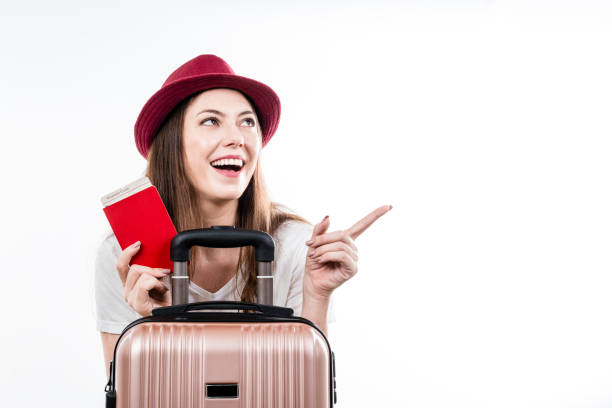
[{"x": 485, "y": 123}]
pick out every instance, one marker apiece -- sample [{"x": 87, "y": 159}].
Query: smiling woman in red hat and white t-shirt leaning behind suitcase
[{"x": 202, "y": 134}]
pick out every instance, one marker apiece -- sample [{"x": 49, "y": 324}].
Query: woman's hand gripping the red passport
[{"x": 143, "y": 288}]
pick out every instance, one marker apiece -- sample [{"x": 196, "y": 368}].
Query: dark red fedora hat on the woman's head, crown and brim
[{"x": 199, "y": 74}]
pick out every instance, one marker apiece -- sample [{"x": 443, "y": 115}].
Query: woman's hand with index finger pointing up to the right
[{"x": 331, "y": 259}]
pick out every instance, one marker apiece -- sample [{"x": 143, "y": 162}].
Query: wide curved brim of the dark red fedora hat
[{"x": 154, "y": 112}]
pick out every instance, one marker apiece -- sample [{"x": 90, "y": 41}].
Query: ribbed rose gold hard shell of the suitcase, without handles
[{"x": 275, "y": 364}]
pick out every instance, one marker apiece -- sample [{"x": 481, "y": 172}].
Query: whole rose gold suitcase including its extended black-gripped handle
[{"x": 213, "y": 354}]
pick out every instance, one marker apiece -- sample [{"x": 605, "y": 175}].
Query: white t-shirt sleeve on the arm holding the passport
[{"x": 113, "y": 313}]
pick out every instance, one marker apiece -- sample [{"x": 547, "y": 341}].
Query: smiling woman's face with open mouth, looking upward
[{"x": 220, "y": 123}]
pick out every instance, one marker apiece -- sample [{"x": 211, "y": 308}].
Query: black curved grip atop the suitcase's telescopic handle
[{"x": 222, "y": 236}]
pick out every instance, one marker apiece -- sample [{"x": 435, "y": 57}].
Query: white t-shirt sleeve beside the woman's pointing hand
[{"x": 295, "y": 239}]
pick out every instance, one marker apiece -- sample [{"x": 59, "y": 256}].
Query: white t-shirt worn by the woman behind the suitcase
[{"x": 113, "y": 313}]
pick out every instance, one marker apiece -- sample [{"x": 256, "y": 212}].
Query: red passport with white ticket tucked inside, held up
[{"x": 136, "y": 212}]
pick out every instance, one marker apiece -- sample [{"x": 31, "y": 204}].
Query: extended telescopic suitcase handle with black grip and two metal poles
[{"x": 222, "y": 236}]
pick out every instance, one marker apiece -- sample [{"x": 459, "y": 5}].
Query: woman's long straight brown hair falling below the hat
[{"x": 166, "y": 170}]
